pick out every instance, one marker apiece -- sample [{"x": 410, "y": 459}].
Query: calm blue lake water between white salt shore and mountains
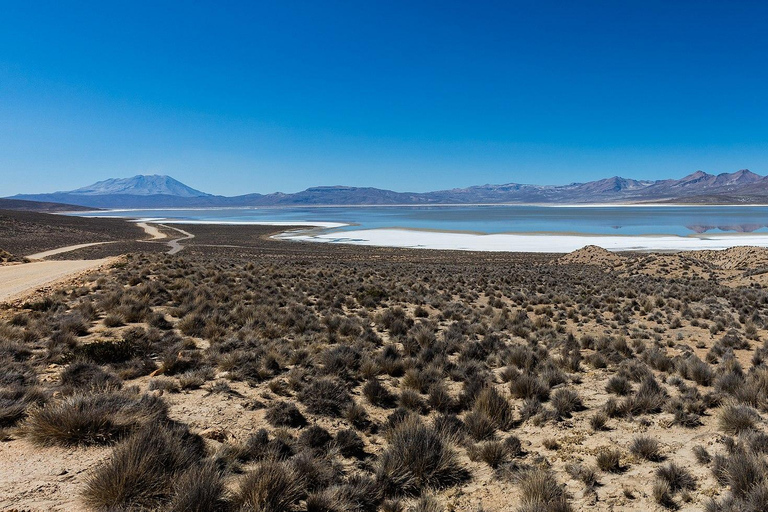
[{"x": 603, "y": 220}]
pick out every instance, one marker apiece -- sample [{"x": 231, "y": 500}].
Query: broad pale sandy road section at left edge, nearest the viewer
[{"x": 17, "y": 280}]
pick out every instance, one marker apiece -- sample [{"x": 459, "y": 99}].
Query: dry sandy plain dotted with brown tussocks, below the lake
[{"x": 249, "y": 374}]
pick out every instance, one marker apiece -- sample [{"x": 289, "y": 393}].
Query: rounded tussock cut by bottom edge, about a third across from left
[{"x": 270, "y": 487}]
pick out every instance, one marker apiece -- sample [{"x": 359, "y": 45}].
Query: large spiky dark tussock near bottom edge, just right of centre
[{"x": 418, "y": 458}]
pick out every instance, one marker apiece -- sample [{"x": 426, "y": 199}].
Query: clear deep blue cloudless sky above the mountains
[{"x": 236, "y": 97}]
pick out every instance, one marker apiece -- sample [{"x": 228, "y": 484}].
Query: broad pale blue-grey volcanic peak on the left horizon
[{"x": 140, "y": 185}]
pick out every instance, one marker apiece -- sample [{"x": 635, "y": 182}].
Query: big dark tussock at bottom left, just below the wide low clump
[{"x": 143, "y": 471}]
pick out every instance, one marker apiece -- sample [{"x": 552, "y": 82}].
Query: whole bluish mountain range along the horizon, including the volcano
[{"x": 741, "y": 187}]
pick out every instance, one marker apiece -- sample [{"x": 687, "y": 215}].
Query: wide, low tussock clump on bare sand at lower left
[{"x": 92, "y": 419}]
